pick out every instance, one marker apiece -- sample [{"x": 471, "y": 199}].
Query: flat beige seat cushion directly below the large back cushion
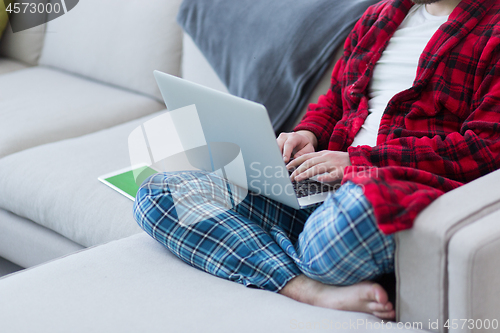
[{"x": 41, "y": 105}]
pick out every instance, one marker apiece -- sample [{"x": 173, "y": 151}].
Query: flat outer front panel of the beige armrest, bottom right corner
[{"x": 474, "y": 271}]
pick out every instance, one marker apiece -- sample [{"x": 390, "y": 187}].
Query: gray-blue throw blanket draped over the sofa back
[{"x": 271, "y": 52}]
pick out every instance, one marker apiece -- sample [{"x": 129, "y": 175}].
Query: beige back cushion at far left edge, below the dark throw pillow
[{"x": 25, "y": 46}]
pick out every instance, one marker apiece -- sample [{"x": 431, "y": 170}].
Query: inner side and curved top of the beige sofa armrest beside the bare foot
[{"x": 422, "y": 252}]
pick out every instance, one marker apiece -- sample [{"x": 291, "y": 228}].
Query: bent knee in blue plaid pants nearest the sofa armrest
[{"x": 341, "y": 243}]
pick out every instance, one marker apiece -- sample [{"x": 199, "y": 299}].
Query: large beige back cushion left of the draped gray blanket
[{"x": 117, "y": 42}]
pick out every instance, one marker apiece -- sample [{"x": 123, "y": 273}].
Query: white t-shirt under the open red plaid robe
[{"x": 397, "y": 68}]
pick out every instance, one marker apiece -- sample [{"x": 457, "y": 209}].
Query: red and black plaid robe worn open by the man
[{"x": 442, "y": 132}]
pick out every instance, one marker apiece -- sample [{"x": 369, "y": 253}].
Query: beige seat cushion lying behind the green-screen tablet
[{"x": 56, "y": 186}]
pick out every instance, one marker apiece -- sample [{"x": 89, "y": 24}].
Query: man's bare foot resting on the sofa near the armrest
[{"x": 365, "y": 297}]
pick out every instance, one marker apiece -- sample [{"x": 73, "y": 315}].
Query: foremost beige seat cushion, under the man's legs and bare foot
[{"x": 136, "y": 285}]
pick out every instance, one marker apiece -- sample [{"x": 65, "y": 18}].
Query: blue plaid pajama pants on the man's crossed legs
[{"x": 260, "y": 242}]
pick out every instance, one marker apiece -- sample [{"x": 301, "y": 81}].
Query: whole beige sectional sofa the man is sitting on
[{"x": 71, "y": 91}]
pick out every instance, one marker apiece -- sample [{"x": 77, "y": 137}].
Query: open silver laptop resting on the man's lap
[{"x": 228, "y": 121}]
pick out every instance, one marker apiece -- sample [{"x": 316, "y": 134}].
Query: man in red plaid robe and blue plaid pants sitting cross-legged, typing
[{"x": 413, "y": 112}]
